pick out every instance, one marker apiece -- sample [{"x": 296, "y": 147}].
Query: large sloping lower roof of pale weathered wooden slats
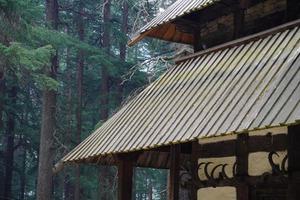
[{"x": 240, "y": 88}]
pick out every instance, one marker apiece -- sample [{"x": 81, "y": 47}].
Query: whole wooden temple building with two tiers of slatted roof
[{"x": 224, "y": 120}]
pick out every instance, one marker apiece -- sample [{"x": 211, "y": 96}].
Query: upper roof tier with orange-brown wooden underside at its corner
[{"x": 162, "y": 26}]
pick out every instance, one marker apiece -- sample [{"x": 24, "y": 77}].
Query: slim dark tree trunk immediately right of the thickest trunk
[{"x": 80, "y": 67}]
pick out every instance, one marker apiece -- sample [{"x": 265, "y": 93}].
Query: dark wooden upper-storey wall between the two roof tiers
[{"x": 231, "y": 19}]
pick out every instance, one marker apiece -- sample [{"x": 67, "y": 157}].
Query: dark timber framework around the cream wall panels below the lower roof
[{"x": 240, "y": 147}]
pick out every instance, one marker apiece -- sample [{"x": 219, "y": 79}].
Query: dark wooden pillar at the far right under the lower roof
[{"x": 293, "y": 163}]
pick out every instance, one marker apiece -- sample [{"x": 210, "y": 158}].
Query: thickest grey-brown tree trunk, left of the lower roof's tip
[{"x": 45, "y": 182}]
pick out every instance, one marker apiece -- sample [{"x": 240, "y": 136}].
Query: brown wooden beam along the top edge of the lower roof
[{"x": 237, "y": 42}]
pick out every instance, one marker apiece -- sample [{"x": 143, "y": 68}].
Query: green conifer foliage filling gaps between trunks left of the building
[{"x": 26, "y": 49}]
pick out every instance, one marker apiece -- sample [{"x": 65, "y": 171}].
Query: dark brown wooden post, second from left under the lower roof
[{"x": 174, "y": 176}]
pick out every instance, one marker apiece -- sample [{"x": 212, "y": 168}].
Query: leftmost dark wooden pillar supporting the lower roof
[{"x": 125, "y": 175}]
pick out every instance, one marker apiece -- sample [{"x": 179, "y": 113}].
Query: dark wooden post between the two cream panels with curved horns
[{"x": 242, "y": 154}]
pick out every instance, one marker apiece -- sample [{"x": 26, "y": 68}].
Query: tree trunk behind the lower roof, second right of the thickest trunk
[{"x": 105, "y": 171}]
